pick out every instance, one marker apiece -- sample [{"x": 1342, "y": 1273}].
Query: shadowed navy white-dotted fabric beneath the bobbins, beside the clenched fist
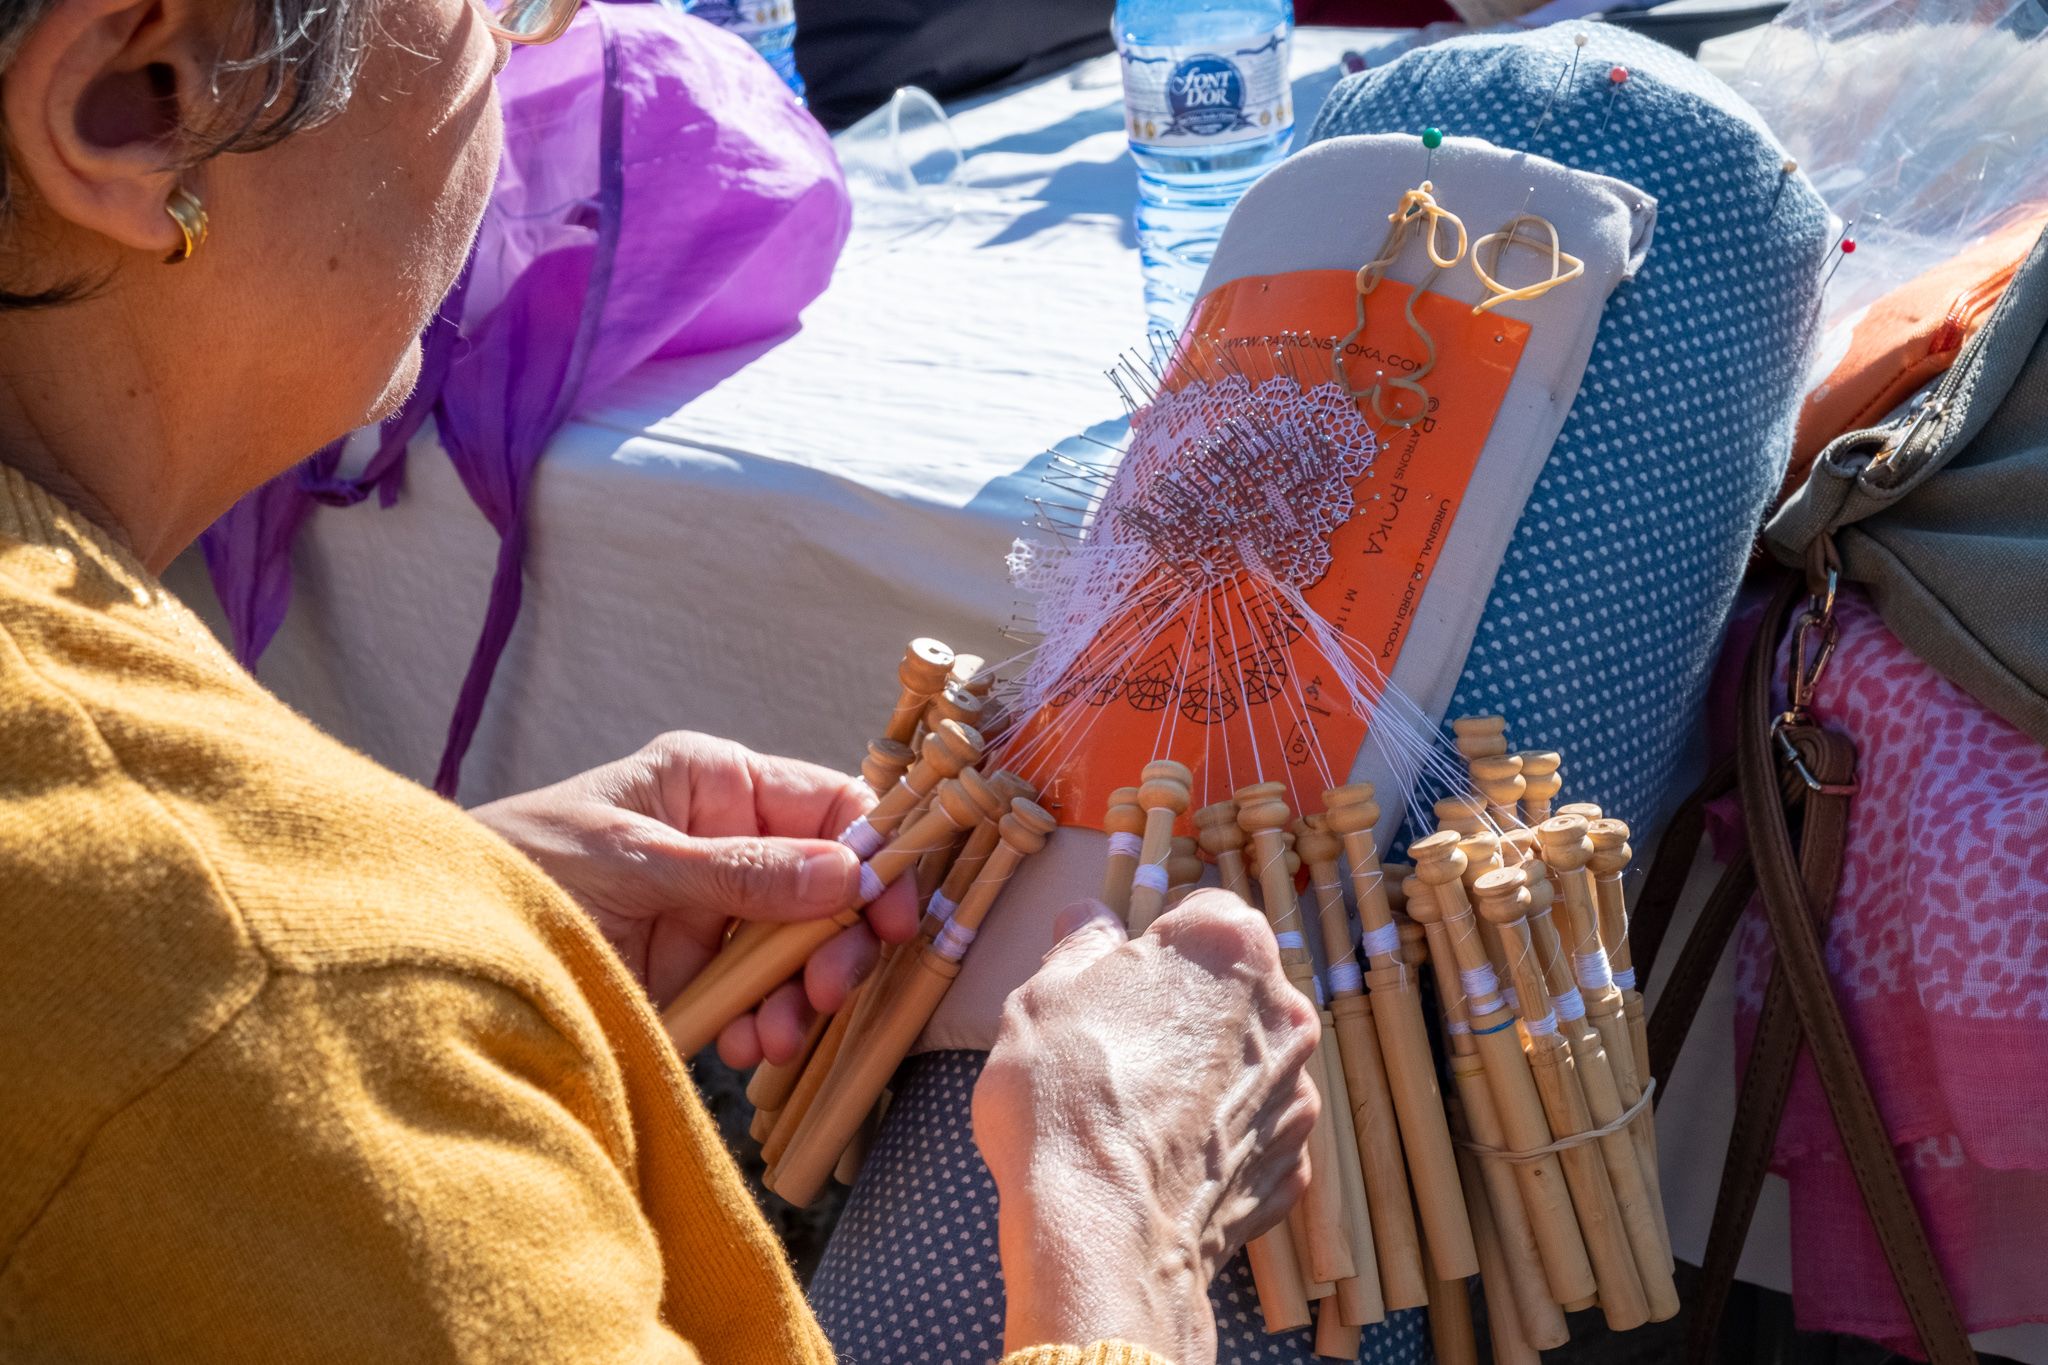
[{"x": 910, "y": 1276}]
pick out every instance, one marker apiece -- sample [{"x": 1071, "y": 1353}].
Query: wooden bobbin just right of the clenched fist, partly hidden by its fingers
[{"x": 1265, "y": 818}]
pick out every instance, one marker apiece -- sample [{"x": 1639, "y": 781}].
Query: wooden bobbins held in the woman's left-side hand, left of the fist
[{"x": 959, "y": 836}]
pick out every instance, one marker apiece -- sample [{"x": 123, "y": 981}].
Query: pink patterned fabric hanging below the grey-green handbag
[{"x": 1940, "y": 959}]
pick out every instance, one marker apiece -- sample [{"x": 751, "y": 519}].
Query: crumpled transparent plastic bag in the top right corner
[{"x": 1924, "y": 124}]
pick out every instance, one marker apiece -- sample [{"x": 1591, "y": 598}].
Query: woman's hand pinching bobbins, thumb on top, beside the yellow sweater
[{"x": 669, "y": 846}]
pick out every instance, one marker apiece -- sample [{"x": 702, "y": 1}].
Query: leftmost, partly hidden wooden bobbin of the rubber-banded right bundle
[{"x": 1525, "y": 1292}]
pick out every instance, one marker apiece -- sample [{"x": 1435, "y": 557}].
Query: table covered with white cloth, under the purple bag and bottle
[{"x": 740, "y": 543}]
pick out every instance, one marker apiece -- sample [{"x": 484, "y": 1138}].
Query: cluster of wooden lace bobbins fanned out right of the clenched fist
[{"x": 1541, "y": 1172}]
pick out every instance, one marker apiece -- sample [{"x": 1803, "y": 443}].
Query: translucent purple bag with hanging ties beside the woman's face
[{"x": 663, "y": 195}]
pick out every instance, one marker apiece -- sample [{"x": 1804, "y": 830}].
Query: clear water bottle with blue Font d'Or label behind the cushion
[{"x": 1209, "y": 109}]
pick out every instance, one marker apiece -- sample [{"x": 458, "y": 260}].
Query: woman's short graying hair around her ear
[{"x": 290, "y": 67}]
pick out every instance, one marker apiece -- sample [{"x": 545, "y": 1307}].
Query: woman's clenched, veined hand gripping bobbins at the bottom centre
[{"x": 1144, "y": 1114}]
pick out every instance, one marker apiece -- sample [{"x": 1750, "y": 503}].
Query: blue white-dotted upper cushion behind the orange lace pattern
[{"x": 1615, "y": 590}]
